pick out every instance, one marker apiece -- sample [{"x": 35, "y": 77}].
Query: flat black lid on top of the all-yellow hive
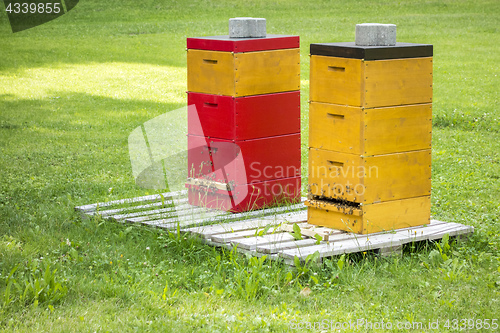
[{"x": 351, "y": 50}]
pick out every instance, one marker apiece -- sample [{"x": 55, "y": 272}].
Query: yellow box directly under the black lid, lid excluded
[{"x": 371, "y": 84}]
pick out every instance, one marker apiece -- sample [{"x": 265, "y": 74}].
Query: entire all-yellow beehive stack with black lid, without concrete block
[{"x": 370, "y": 136}]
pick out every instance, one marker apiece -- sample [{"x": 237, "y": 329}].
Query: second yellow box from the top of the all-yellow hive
[{"x": 357, "y": 130}]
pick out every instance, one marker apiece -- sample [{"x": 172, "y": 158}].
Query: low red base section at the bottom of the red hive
[{"x": 247, "y": 197}]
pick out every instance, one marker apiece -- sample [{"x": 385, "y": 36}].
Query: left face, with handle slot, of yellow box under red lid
[{"x": 210, "y": 72}]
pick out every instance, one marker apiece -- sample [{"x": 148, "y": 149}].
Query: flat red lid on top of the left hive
[{"x": 238, "y": 45}]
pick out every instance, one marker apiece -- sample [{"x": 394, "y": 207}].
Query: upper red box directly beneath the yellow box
[{"x": 244, "y": 118}]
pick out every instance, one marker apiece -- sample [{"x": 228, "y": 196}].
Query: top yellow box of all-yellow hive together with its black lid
[{"x": 371, "y": 76}]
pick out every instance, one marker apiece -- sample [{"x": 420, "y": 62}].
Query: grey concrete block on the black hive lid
[{"x": 375, "y": 34}]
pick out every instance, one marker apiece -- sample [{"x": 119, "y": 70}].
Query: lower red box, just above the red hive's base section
[{"x": 244, "y": 162}]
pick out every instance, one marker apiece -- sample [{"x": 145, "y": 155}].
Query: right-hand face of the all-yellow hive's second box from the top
[{"x": 397, "y": 129}]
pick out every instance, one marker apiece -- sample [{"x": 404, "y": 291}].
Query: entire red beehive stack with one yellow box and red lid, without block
[{"x": 244, "y": 128}]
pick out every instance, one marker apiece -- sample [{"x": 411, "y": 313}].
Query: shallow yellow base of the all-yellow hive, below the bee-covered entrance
[{"x": 366, "y": 219}]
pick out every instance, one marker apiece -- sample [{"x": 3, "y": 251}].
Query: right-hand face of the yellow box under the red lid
[{"x": 267, "y": 72}]
